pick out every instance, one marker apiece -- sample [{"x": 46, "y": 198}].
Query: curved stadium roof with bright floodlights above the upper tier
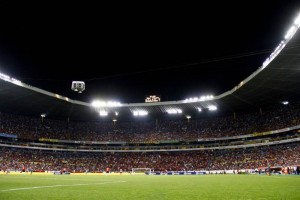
[{"x": 277, "y": 80}]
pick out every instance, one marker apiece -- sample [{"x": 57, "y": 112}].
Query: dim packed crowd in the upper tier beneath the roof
[{"x": 151, "y": 131}]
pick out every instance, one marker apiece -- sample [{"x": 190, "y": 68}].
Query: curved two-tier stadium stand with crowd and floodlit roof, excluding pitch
[{"x": 252, "y": 129}]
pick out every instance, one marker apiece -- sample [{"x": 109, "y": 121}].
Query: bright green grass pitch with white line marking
[{"x": 258, "y": 187}]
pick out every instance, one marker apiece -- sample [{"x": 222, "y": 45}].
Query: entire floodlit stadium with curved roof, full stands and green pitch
[{"x": 240, "y": 144}]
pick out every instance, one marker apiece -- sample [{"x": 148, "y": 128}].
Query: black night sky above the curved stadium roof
[{"x": 124, "y": 52}]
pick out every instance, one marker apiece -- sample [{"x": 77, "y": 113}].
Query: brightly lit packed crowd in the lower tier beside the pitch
[{"x": 16, "y": 159}]
